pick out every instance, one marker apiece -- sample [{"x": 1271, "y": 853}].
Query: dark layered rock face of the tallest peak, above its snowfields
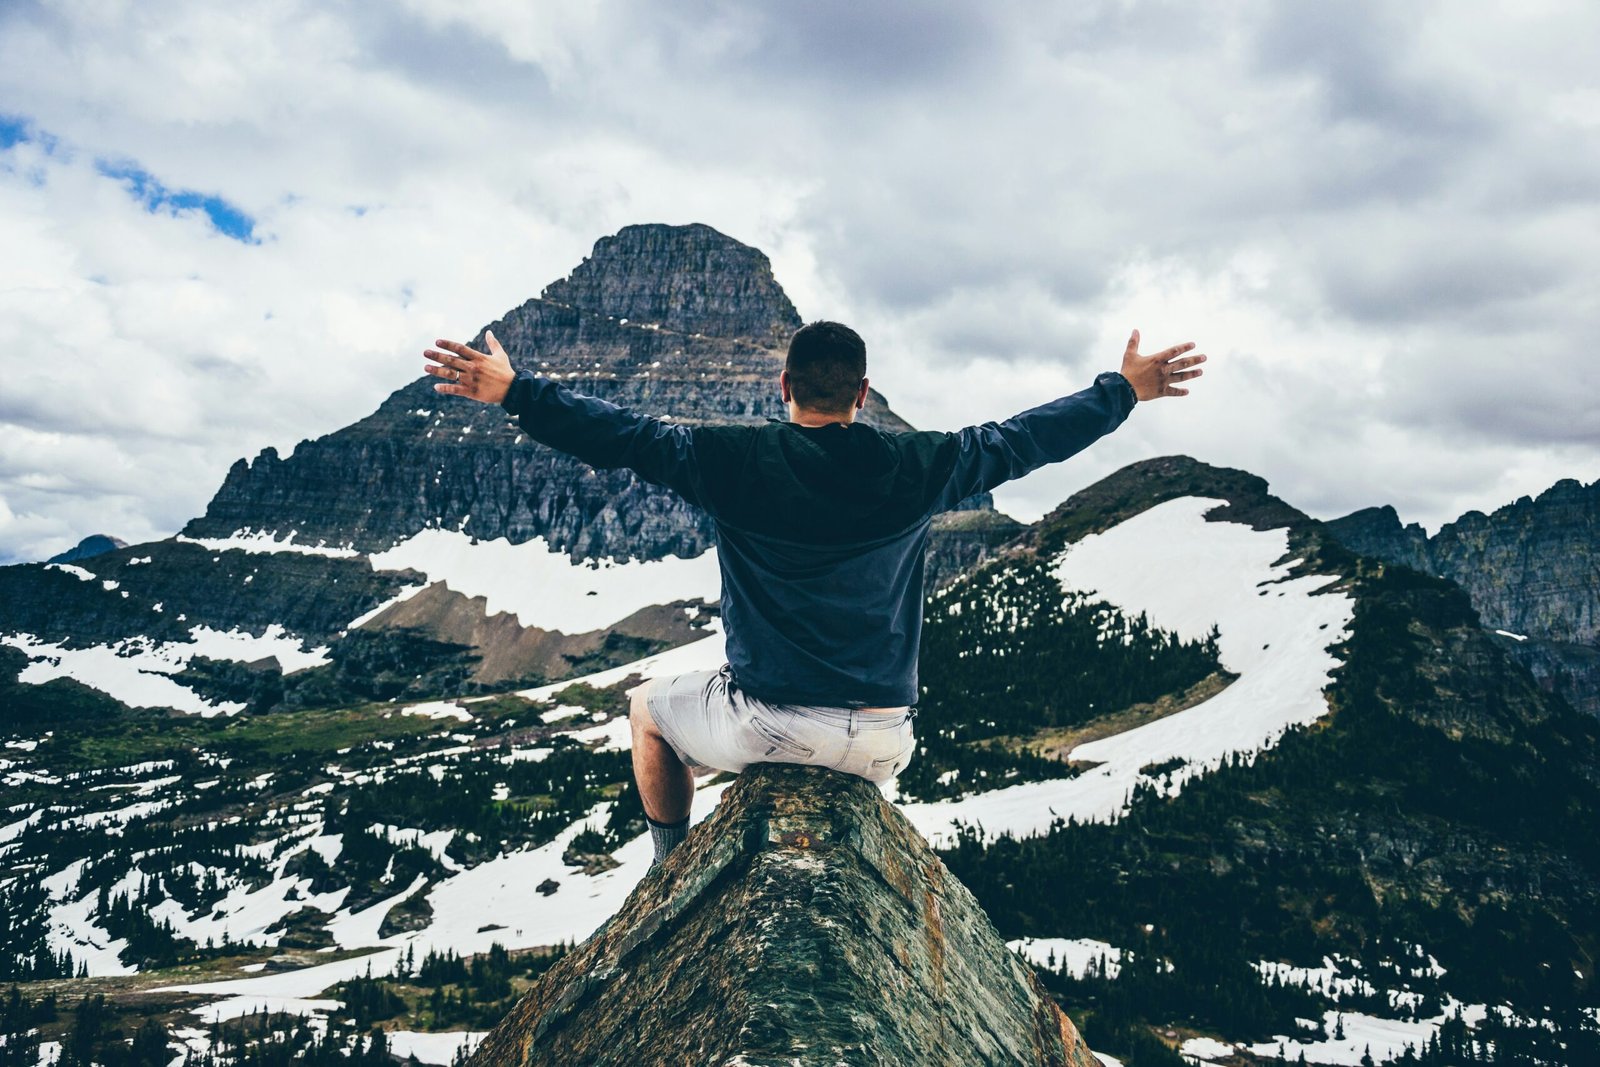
[{"x": 670, "y": 321}]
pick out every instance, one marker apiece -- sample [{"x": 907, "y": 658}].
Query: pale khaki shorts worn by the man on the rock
[{"x": 714, "y": 725}]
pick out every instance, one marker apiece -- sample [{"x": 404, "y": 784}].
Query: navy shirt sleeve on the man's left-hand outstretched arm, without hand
[{"x": 604, "y": 434}]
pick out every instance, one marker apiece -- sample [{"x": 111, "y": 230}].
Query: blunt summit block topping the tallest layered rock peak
[{"x": 687, "y": 279}]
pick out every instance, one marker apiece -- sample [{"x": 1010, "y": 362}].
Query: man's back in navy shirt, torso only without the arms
[{"x": 822, "y": 535}]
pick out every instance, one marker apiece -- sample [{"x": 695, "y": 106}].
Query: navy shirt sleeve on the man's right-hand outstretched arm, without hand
[{"x": 994, "y": 454}]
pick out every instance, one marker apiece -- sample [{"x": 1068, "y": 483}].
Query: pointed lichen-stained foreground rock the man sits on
[{"x": 804, "y": 922}]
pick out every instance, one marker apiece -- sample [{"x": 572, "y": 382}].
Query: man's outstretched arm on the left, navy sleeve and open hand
[{"x": 591, "y": 430}]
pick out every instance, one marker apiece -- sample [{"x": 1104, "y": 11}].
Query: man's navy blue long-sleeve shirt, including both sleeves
[{"x": 822, "y": 532}]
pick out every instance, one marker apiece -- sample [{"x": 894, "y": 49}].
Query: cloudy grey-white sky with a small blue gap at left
[{"x": 234, "y": 226}]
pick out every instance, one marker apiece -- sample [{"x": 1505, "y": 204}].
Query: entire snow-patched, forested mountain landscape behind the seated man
[{"x": 1281, "y": 780}]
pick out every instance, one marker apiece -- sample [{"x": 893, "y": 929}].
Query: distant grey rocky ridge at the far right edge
[{"x": 1532, "y": 569}]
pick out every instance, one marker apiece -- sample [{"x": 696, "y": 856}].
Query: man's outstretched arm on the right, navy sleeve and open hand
[{"x": 999, "y": 452}]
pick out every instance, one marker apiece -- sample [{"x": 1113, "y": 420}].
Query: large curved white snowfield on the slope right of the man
[{"x": 1186, "y": 575}]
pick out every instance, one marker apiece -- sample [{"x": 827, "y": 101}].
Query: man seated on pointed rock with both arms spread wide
[{"x": 822, "y": 526}]
